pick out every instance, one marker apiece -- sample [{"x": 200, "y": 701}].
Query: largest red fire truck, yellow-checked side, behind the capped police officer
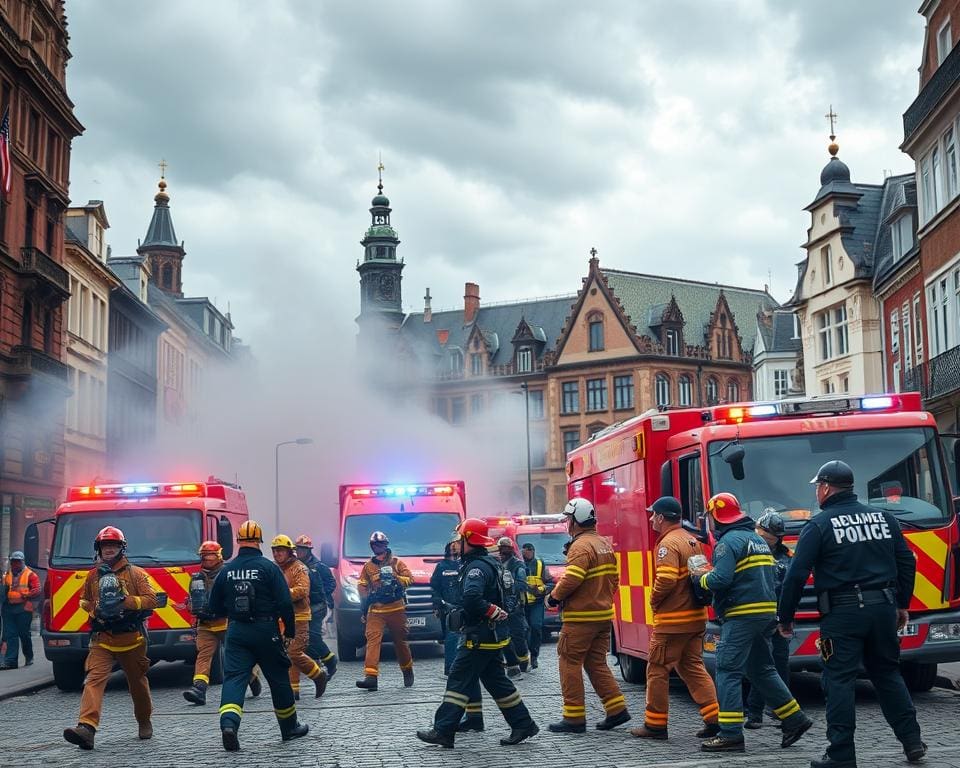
[{"x": 765, "y": 454}]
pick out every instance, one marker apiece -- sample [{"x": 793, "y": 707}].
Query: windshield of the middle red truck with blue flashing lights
[{"x": 411, "y": 534}]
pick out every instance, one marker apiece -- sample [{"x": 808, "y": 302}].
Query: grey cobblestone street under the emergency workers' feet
[{"x": 350, "y": 727}]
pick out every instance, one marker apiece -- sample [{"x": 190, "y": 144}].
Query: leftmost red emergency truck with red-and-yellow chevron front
[{"x": 164, "y": 524}]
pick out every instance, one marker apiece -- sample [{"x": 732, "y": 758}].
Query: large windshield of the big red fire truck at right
[{"x": 898, "y": 470}]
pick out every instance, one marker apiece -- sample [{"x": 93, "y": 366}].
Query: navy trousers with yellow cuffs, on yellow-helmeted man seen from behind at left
[{"x": 249, "y": 644}]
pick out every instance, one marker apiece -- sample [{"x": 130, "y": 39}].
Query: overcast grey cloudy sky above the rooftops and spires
[{"x": 678, "y": 137}]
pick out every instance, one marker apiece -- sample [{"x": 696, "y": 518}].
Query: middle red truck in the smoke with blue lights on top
[{"x": 420, "y": 520}]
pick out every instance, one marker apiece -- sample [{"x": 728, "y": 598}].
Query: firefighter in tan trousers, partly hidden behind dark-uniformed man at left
[{"x": 211, "y": 630}]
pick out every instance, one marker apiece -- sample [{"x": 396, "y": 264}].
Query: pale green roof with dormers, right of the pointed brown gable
[{"x": 640, "y": 293}]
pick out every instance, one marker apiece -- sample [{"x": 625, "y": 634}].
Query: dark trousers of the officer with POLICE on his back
[{"x": 851, "y": 636}]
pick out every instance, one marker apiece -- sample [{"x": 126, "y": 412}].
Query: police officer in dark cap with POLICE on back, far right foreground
[{"x": 863, "y": 577}]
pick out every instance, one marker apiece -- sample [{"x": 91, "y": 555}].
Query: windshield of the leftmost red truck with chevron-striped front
[{"x": 167, "y": 537}]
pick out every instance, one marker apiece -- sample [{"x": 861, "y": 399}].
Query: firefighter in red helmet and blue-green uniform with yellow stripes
[{"x": 744, "y": 598}]
